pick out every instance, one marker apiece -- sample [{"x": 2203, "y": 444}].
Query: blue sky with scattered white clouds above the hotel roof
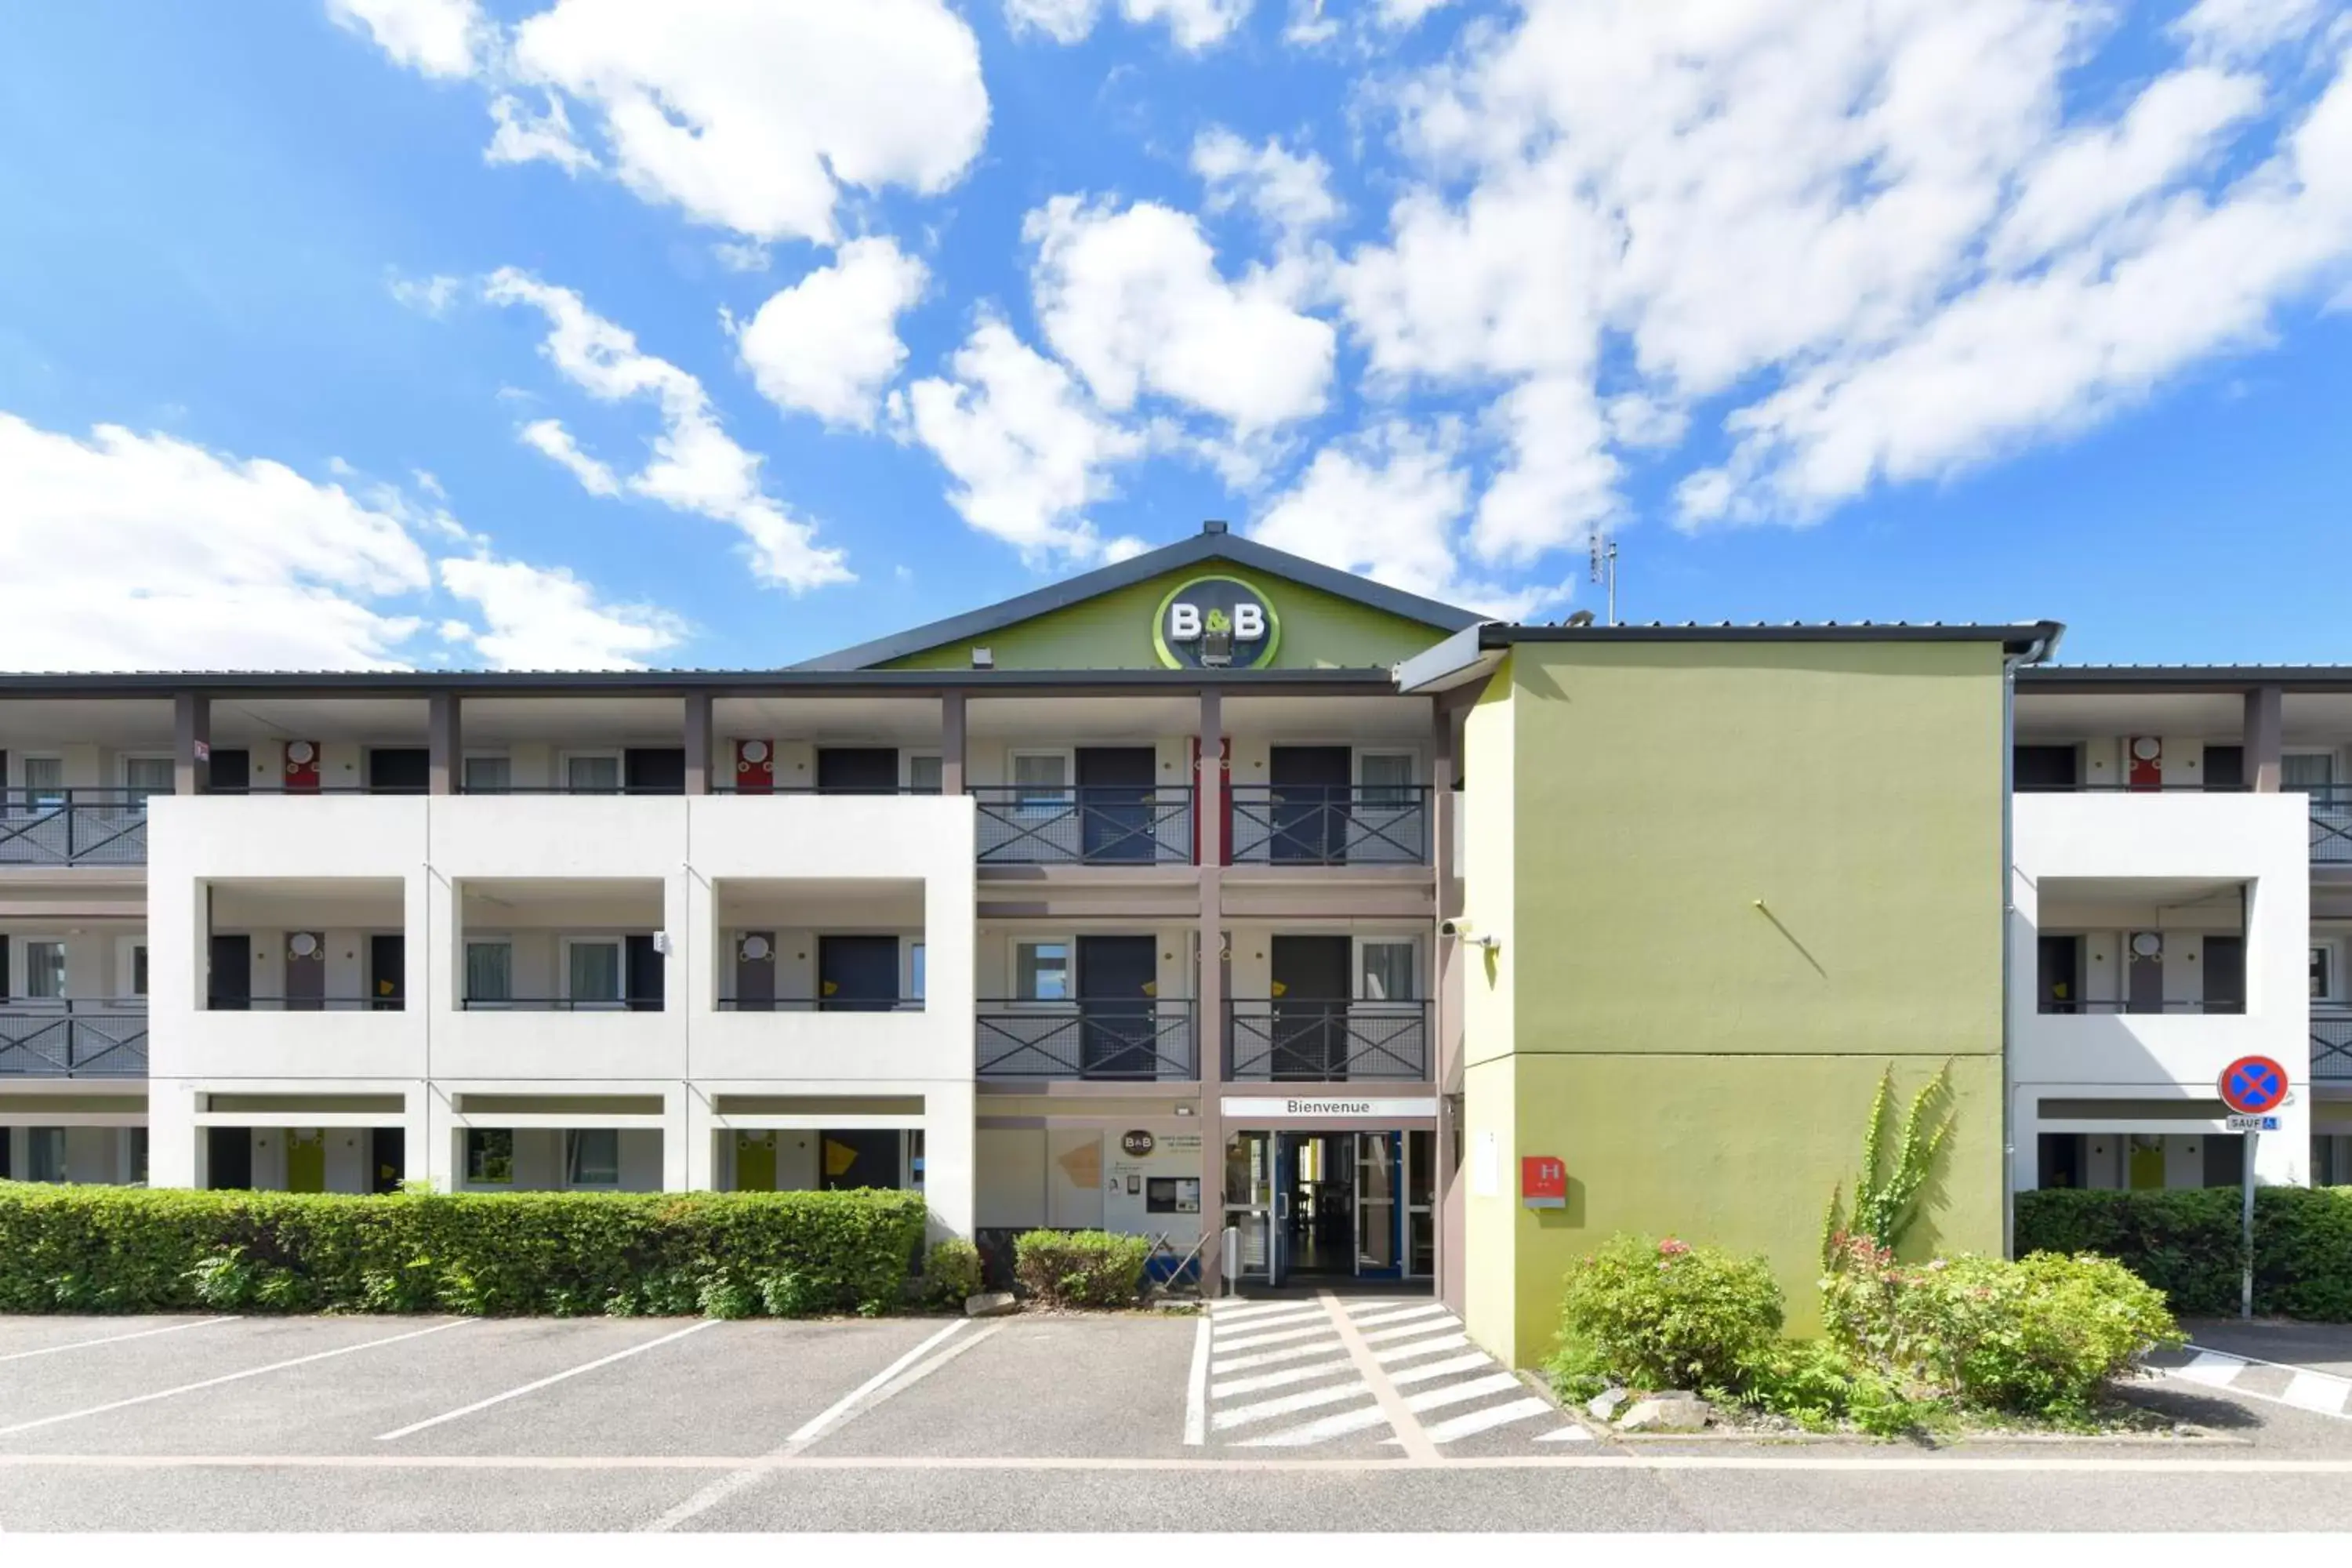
[{"x": 580, "y": 333}]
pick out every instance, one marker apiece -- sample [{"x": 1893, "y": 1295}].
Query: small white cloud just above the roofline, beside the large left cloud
[{"x": 547, "y": 619}]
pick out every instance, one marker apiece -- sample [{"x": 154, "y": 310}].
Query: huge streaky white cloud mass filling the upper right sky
[{"x": 1857, "y": 255}]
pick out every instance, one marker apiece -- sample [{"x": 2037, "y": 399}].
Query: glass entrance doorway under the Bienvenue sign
[{"x": 1330, "y": 1205}]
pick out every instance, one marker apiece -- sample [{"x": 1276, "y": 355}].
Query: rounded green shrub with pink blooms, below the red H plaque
[{"x": 1666, "y": 1313}]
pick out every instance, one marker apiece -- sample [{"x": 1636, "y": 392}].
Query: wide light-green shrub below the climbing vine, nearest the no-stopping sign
[{"x": 2038, "y": 1336}]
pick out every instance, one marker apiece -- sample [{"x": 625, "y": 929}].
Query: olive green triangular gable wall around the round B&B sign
[{"x": 1116, "y": 631}]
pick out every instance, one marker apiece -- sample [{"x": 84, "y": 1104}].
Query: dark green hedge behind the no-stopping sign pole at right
[{"x": 2189, "y": 1245}]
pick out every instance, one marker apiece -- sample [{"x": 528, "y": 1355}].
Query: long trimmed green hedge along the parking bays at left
[{"x": 721, "y": 1254}]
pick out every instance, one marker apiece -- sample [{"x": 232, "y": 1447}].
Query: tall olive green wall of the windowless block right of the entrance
[{"x": 1746, "y": 880}]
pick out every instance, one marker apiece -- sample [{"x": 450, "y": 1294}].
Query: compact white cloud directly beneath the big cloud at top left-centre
[{"x": 831, "y": 342}]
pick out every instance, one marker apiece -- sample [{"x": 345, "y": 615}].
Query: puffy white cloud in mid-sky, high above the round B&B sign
[{"x": 1137, "y": 304}]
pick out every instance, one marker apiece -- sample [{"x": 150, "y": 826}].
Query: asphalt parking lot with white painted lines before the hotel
[{"x": 1295, "y": 1414}]
